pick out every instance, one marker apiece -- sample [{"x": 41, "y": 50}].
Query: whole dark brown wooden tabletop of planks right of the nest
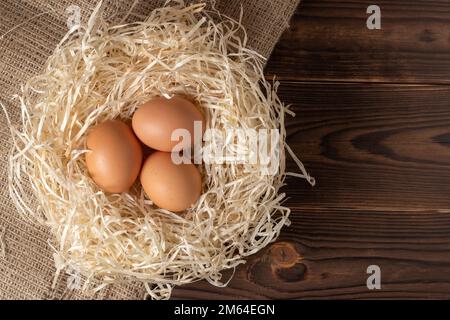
[{"x": 373, "y": 128}]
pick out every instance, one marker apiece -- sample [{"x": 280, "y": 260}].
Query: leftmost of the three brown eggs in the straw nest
[{"x": 115, "y": 158}]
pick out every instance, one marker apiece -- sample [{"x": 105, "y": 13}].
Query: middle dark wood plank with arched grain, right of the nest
[{"x": 371, "y": 147}]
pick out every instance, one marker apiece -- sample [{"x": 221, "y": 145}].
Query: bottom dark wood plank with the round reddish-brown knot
[{"x": 325, "y": 254}]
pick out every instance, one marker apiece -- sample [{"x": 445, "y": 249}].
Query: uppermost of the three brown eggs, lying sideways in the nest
[{"x": 155, "y": 121}]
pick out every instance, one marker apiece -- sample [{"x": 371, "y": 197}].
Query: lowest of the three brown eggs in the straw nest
[{"x": 170, "y": 186}]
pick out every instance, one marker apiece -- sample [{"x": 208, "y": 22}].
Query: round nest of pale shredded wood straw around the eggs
[{"x": 101, "y": 72}]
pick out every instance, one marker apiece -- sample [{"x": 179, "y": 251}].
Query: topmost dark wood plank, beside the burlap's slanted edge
[{"x": 329, "y": 41}]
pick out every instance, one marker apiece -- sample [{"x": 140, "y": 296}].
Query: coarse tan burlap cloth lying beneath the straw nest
[{"x": 29, "y": 31}]
